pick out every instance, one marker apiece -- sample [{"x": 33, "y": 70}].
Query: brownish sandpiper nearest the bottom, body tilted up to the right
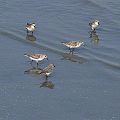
[{"x": 48, "y": 70}]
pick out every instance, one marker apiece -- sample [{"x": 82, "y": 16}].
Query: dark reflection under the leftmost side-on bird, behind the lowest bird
[{"x": 33, "y": 70}]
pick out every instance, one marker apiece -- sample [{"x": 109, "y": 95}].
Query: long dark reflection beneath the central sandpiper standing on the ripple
[{"x": 73, "y": 58}]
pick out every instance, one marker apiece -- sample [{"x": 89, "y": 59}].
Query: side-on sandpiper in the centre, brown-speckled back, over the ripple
[{"x": 73, "y": 44}]
